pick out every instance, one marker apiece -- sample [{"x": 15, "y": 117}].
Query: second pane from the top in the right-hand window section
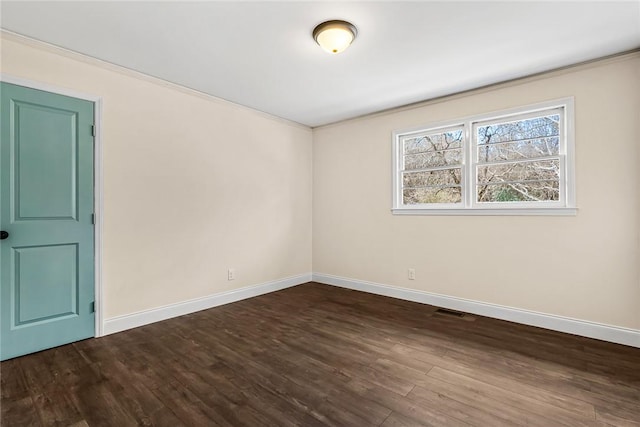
[{"x": 520, "y": 150}]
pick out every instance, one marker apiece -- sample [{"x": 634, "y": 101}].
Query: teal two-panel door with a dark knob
[{"x": 46, "y": 207}]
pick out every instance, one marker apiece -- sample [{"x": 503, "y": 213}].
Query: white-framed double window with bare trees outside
[{"x": 510, "y": 162}]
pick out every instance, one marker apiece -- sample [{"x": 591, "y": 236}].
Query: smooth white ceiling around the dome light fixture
[{"x": 261, "y": 54}]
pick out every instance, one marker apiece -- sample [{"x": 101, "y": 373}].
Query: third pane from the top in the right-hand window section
[{"x": 541, "y": 170}]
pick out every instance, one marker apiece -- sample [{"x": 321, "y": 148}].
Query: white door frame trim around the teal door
[{"x": 98, "y": 195}]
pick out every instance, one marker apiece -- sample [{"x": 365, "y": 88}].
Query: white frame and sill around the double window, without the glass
[{"x": 566, "y": 205}]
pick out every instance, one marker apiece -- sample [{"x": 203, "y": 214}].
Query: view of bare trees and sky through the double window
[{"x": 517, "y": 159}]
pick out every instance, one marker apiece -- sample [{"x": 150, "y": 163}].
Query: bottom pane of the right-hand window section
[{"x": 532, "y": 191}]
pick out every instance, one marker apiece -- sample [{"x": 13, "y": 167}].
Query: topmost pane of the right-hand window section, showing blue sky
[{"x": 536, "y": 127}]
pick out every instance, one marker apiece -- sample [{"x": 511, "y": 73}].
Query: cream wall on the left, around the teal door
[{"x": 192, "y": 185}]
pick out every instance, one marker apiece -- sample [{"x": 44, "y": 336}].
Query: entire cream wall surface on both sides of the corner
[{"x": 194, "y": 185}]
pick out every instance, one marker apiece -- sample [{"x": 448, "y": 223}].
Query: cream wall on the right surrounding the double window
[{"x": 594, "y": 275}]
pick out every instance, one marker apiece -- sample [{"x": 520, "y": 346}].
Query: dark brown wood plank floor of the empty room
[{"x": 317, "y": 355}]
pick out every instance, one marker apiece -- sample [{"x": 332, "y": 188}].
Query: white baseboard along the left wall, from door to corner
[{"x": 141, "y": 318}]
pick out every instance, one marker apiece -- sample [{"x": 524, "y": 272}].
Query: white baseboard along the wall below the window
[{"x": 615, "y": 334}]
